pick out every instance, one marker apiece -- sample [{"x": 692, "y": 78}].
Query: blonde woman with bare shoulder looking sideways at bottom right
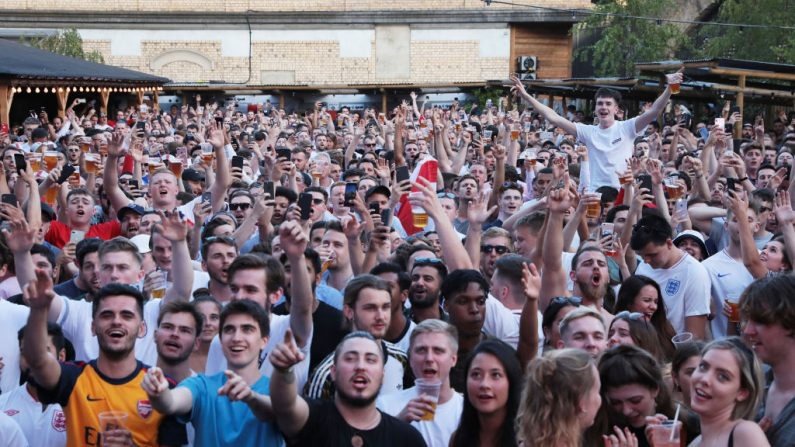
[{"x": 726, "y": 390}]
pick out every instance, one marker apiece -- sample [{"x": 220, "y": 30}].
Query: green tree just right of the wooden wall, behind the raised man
[{"x": 621, "y": 42}]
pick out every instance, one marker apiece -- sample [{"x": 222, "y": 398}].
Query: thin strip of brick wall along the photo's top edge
[{"x": 161, "y": 6}]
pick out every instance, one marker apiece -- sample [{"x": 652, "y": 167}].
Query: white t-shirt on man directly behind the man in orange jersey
[{"x": 75, "y": 320}]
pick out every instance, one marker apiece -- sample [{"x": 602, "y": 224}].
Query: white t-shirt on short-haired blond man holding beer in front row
[{"x": 437, "y": 432}]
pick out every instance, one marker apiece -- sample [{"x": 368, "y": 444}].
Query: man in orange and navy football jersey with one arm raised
[{"x": 110, "y": 381}]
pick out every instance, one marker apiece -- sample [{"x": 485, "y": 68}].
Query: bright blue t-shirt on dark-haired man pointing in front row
[{"x": 221, "y": 422}]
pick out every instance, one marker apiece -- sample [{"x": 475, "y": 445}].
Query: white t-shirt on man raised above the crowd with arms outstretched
[{"x": 608, "y": 150}]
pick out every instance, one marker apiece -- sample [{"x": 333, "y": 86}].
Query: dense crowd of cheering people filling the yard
[{"x": 467, "y": 276}]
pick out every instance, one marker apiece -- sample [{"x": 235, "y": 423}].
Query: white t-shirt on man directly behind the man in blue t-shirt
[{"x": 216, "y": 362}]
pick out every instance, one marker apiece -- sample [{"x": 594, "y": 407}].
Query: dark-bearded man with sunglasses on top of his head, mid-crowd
[{"x": 427, "y": 275}]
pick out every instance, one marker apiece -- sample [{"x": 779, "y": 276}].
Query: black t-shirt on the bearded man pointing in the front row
[{"x": 327, "y": 428}]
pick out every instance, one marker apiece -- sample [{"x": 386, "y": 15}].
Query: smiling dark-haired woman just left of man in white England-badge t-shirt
[{"x": 642, "y": 294}]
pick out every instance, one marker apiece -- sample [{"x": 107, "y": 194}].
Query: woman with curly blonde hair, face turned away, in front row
[{"x": 560, "y": 399}]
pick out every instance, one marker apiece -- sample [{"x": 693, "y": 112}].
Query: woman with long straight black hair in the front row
[{"x": 491, "y": 397}]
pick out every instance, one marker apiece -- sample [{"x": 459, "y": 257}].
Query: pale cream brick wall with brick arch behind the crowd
[{"x": 314, "y": 63}]
